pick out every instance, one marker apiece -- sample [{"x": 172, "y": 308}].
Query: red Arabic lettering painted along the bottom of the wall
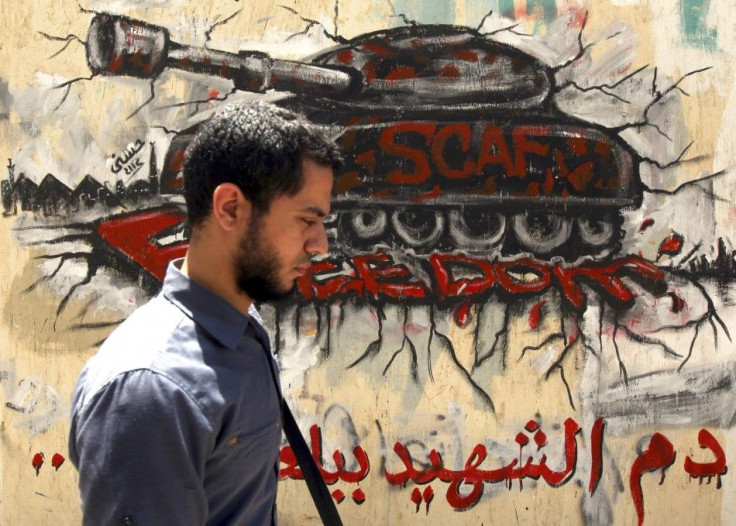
[{"x": 466, "y": 485}]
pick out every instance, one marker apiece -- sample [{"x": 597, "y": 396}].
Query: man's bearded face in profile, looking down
[{"x": 278, "y": 245}]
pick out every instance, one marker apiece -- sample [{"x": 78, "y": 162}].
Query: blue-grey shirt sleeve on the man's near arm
[{"x": 140, "y": 446}]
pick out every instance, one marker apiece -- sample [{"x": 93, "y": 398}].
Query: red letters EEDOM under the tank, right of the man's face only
[{"x": 377, "y": 275}]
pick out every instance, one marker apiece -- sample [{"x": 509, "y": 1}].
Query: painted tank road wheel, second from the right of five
[{"x": 541, "y": 233}]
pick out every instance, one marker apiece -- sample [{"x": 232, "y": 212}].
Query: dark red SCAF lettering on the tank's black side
[{"x": 517, "y": 159}]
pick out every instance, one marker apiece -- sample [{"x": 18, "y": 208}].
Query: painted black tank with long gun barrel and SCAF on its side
[{"x": 452, "y": 141}]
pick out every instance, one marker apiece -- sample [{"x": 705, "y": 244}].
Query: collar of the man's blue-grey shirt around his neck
[{"x": 218, "y": 317}]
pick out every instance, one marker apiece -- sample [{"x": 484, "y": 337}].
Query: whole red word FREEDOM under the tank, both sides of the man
[{"x": 136, "y": 237}]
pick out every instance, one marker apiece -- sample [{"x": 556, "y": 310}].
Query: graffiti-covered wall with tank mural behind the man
[{"x": 527, "y": 307}]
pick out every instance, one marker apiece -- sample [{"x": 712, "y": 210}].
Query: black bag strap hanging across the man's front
[{"x": 315, "y": 483}]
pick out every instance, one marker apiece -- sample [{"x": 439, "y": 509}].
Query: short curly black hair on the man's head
[{"x": 257, "y": 146}]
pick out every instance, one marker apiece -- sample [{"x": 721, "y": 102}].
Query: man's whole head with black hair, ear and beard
[{"x": 257, "y": 178}]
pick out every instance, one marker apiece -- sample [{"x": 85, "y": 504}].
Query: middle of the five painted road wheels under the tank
[{"x": 477, "y": 229}]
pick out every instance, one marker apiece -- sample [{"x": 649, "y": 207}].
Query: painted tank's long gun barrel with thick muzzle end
[{"x": 121, "y": 46}]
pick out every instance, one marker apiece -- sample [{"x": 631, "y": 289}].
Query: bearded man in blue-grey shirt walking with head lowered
[{"x": 177, "y": 419}]
